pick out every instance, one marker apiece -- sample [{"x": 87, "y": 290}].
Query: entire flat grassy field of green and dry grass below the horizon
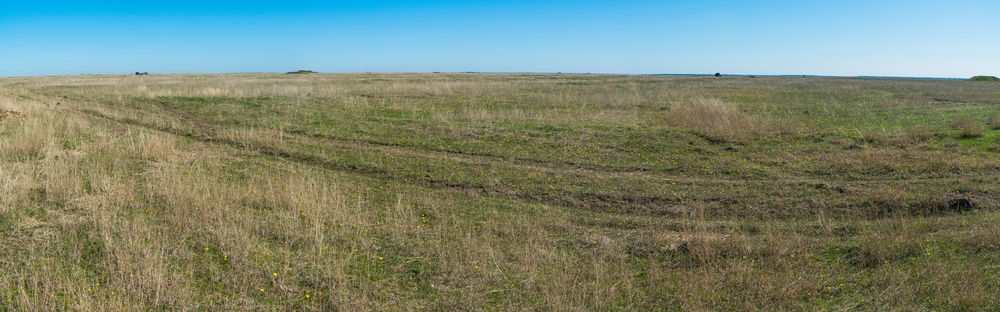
[{"x": 498, "y": 192}]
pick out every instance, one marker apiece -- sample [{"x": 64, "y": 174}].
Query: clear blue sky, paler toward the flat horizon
[{"x": 953, "y": 38}]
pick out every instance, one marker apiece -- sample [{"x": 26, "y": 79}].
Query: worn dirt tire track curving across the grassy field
[{"x": 656, "y": 203}]
